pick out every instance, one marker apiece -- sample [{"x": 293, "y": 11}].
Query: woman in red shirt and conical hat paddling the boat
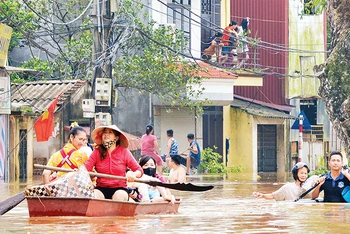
[{"x": 112, "y": 156}]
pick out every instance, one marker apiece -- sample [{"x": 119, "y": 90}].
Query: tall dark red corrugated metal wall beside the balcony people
[{"x": 269, "y": 22}]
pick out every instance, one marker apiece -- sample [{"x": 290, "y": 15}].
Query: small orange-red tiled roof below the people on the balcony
[{"x": 213, "y": 72}]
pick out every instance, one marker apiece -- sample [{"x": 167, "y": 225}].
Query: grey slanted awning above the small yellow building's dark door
[{"x": 260, "y": 110}]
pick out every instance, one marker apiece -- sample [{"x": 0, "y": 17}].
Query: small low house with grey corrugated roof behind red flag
[{"x": 28, "y": 101}]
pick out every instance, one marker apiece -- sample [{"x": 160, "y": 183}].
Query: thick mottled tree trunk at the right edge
[{"x": 334, "y": 74}]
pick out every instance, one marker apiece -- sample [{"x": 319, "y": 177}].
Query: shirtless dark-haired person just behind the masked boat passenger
[{"x": 177, "y": 171}]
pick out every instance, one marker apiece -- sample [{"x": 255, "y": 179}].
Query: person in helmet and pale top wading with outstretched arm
[{"x": 290, "y": 191}]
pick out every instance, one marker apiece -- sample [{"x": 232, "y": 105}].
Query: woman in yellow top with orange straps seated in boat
[{"x": 70, "y": 156}]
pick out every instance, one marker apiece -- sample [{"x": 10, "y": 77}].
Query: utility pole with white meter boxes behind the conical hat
[{"x": 102, "y": 23}]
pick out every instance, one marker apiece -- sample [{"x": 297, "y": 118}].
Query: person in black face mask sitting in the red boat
[{"x": 150, "y": 193}]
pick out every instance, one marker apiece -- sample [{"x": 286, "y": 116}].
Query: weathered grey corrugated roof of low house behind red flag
[{"x": 39, "y": 94}]
